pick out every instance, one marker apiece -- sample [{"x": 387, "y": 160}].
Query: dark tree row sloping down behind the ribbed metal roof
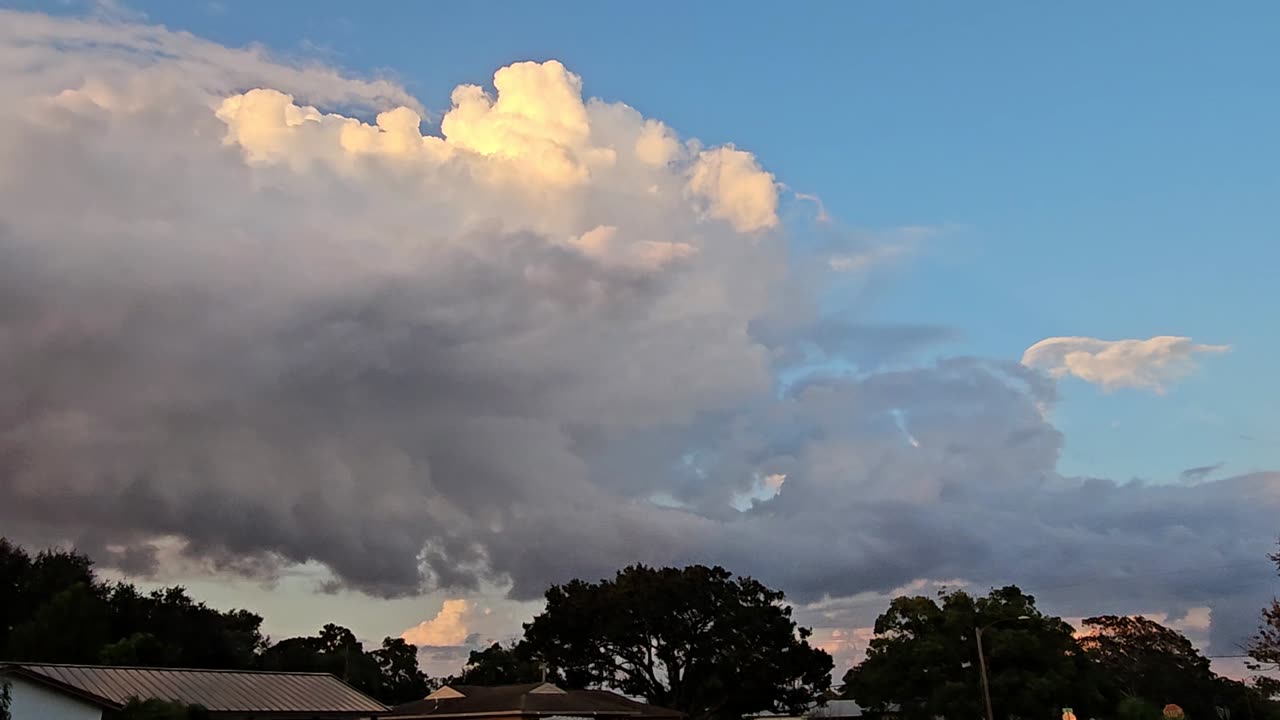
[{"x": 56, "y": 609}]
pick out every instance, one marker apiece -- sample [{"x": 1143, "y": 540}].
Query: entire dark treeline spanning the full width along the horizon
[{"x": 697, "y": 640}]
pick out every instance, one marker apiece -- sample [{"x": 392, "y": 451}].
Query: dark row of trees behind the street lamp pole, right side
[{"x": 924, "y": 663}]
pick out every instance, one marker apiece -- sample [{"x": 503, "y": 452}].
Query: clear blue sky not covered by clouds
[{"x": 1107, "y": 171}]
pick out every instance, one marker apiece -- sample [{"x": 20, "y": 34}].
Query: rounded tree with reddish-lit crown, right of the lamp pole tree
[{"x": 1140, "y": 658}]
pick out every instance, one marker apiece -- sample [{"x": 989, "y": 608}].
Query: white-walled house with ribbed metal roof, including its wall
[{"x": 95, "y": 692}]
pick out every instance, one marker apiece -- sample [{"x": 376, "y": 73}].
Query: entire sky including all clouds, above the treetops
[{"x": 394, "y": 318}]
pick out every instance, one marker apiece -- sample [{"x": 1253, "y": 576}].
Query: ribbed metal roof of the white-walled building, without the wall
[{"x": 218, "y": 691}]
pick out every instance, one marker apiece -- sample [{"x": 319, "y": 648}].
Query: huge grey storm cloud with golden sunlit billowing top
[{"x": 253, "y": 315}]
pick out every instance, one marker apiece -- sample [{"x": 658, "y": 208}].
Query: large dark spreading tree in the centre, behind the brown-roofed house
[{"x": 697, "y": 640}]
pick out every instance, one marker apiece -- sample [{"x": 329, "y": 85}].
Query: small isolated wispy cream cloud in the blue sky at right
[{"x": 1146, "y": 364}]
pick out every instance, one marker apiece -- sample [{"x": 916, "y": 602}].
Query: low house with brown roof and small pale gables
[{"x": 532, "y": 701}]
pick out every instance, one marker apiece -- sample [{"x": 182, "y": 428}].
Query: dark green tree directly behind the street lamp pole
[{"x": 925, "y": 659}]
